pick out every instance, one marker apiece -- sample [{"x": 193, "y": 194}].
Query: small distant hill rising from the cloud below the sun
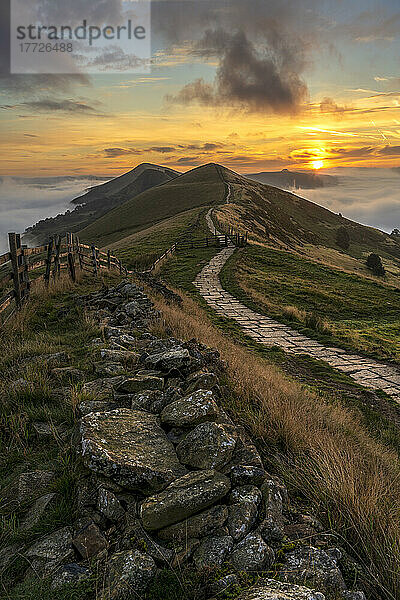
[{"x": 293, "y": 179}]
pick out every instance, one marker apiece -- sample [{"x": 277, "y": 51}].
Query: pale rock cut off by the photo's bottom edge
[{"x": 270, "y": 589}]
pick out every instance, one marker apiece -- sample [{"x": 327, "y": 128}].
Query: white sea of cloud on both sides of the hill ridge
[{"x": 369, "y": 196}]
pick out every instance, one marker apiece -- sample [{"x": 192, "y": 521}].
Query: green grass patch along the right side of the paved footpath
[{"x": 357, "y": 314}]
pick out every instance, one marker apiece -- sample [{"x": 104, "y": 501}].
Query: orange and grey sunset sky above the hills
[{"x": 255, "y": 85}]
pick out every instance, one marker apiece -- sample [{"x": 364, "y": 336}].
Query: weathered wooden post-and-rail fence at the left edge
[{"x": 22, "y": 268}]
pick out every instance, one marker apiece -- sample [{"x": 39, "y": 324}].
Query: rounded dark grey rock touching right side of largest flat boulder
[{"x": 208, "y": 446}]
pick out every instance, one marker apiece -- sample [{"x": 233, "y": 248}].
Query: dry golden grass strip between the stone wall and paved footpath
[{"x": 350, "y": 477}]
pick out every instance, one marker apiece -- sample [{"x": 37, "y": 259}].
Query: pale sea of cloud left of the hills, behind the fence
[{"x": 24, "y": 201}]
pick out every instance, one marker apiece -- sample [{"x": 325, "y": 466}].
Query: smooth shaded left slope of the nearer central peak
[{"x": 200, "y": 187}]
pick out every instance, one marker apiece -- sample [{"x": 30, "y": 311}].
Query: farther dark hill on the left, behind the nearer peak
[{"x": 99, "y": 200}]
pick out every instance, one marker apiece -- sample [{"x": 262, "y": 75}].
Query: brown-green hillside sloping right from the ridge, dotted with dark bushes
[{"x": 277, "y": 218}]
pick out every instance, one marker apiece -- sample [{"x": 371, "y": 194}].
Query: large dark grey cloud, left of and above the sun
[{"x": 258, "y": 80}]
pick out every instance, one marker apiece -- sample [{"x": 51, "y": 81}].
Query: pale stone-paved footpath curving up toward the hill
[{"x": 264, "y": 330}]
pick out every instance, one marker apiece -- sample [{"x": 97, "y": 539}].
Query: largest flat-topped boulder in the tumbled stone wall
[{"x": 129, "y": 447}]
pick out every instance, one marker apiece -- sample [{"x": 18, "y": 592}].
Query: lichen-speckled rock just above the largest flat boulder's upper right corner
[{"x": 191, "y": 410}]
